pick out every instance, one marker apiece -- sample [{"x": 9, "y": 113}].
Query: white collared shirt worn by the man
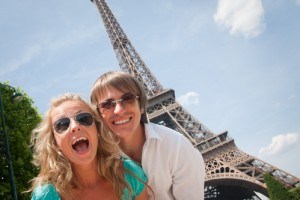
[{"x": 175, "y": 169}]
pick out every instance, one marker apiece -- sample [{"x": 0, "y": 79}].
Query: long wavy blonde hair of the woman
[{"x": 55, "y": 168}]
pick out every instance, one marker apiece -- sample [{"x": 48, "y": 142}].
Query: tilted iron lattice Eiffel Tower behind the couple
[{"x": 230, "y": 172}]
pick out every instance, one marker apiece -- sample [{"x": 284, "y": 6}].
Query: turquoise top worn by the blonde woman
[{"x": 48, "y": 191}]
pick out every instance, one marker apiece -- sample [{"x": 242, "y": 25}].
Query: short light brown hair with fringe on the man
[{"x": 123, "y": 82}]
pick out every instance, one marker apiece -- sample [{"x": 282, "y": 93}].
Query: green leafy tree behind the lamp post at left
[{"x": 20, "y": 119}]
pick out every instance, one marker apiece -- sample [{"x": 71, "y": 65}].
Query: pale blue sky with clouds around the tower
[{"x": 234, "y": 65}]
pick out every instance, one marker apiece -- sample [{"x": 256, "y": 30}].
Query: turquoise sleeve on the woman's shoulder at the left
[{"x": 45, "y": 192}]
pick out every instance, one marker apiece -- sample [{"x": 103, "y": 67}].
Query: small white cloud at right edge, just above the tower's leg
[{"x": 281, "y": 143}]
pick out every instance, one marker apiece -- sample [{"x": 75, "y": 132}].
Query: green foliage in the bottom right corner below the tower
[{"x": 277, "y": 191}]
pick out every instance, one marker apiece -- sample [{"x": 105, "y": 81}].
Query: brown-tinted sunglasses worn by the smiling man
[{"x": 126, "y": 99}]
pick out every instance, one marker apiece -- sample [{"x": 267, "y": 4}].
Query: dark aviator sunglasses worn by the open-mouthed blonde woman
[{"x": 61, "y": 125}]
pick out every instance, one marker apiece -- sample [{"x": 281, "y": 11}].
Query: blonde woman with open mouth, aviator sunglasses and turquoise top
[{"x": 78, "y": 158}]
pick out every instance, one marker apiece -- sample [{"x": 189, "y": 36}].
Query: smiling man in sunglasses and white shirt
[{"x": 175, "y": 169}]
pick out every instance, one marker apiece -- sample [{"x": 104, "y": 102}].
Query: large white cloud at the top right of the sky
[{"x": 241, "y": 16}]
